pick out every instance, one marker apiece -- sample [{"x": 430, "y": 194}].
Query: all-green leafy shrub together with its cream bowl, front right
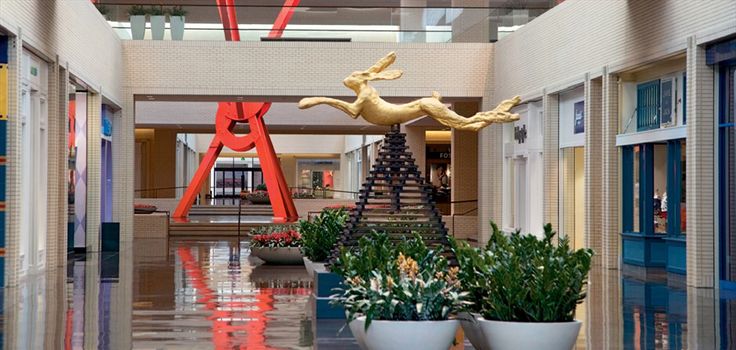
[{"x": 527, "y": 290}]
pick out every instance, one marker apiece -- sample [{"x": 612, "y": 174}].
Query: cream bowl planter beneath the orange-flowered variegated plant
[{"x": 403, "y": 335}]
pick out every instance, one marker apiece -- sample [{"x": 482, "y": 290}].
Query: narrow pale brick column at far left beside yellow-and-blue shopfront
[{"x": 13, "y": 173}]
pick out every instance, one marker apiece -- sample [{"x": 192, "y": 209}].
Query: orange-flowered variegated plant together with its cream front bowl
[{"x": 399, "y": 296}]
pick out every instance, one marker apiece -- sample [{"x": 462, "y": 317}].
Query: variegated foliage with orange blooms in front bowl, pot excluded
[{"x": 414, "y": 284}]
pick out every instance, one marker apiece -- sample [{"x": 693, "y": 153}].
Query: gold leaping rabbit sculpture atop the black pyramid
[{"x": 375, "y": 110}]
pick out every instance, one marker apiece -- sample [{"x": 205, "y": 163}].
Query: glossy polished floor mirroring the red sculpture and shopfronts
[{"x": 181, "y": 294}]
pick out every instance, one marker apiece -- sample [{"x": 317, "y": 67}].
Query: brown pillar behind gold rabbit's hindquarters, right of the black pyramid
[{"x": 464, "y": 164}]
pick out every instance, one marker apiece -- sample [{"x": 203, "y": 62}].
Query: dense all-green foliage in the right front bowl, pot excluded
[{"x": 524, "y": 279}]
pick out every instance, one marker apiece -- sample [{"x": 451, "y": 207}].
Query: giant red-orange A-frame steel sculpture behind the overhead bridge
[{"x": 231, "y": 113}]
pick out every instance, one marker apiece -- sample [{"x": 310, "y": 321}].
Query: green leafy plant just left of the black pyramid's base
[{"x": 320, "y": 235}]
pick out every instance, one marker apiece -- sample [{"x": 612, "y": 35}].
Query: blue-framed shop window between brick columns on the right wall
[{"x": 653, "y": 204}]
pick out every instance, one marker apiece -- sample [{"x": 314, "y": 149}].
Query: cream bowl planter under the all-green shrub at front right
[{"x": 530, "y": 335}]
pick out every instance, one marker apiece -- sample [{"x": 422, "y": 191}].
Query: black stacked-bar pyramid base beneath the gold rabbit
[{"x": 395, "y": 199}]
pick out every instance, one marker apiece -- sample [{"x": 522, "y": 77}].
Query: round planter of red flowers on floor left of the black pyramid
[{"x": 280, "y": 245}]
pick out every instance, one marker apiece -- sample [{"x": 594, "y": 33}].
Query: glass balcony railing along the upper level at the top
[{"x": 359, "y": 24}]
